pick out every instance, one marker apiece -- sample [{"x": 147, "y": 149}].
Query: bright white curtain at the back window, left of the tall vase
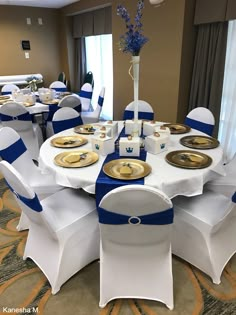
[{"x": 100, "y": 63}]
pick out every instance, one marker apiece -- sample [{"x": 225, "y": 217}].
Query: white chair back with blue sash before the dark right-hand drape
[{"x": 202, "y": 119}]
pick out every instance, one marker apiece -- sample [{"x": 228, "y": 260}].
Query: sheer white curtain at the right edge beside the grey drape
[{"x": 227, "y": 128}]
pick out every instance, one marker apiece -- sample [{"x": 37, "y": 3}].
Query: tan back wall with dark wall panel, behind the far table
[{"x": 44, "y": 40}]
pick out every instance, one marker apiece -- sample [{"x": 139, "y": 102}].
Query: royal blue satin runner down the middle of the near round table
[{"x": 104, "y": 183}]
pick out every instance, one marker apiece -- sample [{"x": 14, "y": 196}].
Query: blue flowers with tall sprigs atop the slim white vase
[{"x": 133, "y": 40}]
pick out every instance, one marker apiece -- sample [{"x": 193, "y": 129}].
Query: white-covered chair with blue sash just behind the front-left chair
[{"x": 13, "y": 150}]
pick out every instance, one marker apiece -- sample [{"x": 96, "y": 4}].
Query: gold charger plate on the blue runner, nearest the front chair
[{"x": 139, "y": 169}]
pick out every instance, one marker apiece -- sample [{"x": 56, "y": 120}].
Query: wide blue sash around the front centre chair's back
[{"x": 158, "y": 218}]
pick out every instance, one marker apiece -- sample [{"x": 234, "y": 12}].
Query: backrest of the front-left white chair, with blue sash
[{"x": 25, "y": 196}]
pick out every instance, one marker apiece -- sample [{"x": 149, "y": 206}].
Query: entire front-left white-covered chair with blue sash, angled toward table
[{"x": 63, "y": 236}]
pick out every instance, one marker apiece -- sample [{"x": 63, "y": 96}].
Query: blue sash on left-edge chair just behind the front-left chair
[{"x": 11, "y": 153}]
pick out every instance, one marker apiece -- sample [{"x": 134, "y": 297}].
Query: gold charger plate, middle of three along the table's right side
[{"x": 199, "y": 142}]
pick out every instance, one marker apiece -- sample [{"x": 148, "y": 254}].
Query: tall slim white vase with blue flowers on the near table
[{"x": 132, "y": 42}]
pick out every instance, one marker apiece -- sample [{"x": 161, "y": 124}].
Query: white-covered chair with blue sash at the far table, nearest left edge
[{"x": 16, "y": 116}]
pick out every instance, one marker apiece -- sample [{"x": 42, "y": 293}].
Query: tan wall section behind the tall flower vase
[{"x": 166, "y": 60}]
